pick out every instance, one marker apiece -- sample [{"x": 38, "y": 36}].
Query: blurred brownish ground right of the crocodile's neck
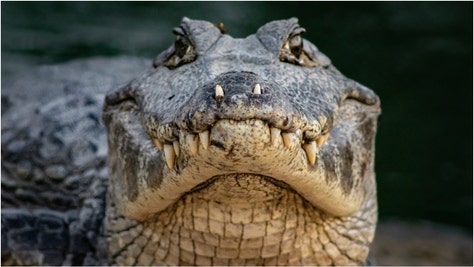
[{"x": 421, "y": 243}]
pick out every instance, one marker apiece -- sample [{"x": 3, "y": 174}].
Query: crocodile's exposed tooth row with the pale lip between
[{"x": 235, "y": 138}]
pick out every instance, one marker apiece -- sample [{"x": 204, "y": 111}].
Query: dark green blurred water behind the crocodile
[{"x": 417, "y": 56}]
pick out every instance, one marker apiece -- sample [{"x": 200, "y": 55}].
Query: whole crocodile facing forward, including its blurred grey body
[{"x": 226, "y": 151}]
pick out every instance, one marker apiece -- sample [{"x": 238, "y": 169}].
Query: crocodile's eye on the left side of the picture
[{"x": 184, "y": 50}]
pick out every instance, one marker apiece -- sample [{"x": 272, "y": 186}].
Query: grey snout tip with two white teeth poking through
[{"x": 237, "y": 96}]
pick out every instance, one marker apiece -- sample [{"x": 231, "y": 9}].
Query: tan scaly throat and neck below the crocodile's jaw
[{"x": 242, "y": 219}]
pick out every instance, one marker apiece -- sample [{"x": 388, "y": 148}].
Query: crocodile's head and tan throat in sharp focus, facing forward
[{"x": 229, "y": 129}]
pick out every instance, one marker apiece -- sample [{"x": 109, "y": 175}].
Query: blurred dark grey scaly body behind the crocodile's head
[{"x": 54, "y": 155}]
